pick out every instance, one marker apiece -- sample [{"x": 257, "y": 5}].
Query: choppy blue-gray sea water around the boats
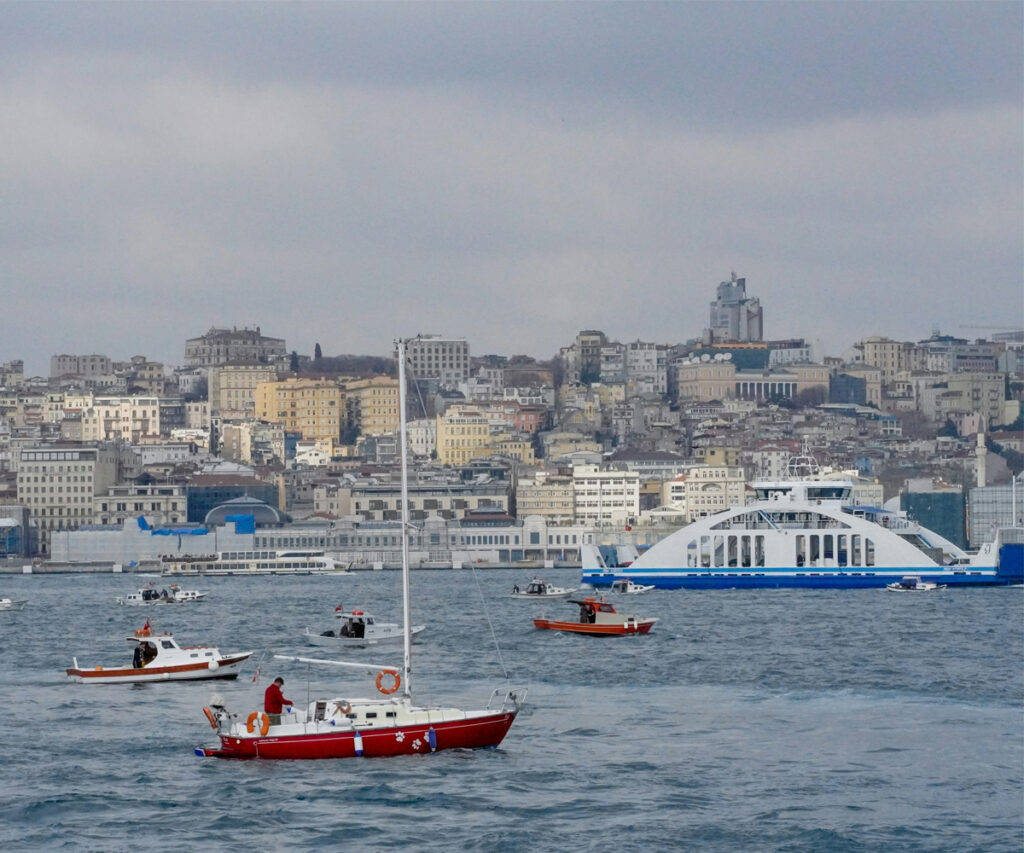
[{"x": 746, "y": 721}]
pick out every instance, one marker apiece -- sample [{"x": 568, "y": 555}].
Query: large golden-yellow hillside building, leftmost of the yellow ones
[{"x": 314, "y": 408}]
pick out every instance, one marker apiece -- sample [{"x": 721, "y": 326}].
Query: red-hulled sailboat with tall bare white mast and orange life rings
[{"x": 389, "y": 726}]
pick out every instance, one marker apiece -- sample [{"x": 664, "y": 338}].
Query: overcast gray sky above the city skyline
[{"x": 349, "y": 174}]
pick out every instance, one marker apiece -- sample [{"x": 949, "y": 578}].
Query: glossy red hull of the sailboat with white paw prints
[{"x": 400, "y": 741}]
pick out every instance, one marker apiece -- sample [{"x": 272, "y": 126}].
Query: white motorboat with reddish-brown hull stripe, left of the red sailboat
[{"x": 159, "y": 658}]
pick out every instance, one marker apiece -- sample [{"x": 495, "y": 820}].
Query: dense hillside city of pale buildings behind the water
[{"x": 517, "y": 459}]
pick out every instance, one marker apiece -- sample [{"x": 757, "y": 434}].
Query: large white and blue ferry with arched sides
[{"x": 807, "y": 534}]
